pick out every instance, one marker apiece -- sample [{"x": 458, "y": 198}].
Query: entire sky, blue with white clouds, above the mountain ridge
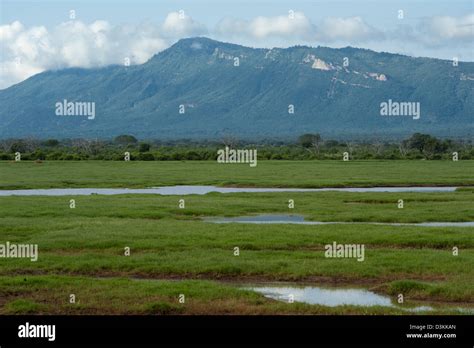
[{"x": 40, "y": 35}]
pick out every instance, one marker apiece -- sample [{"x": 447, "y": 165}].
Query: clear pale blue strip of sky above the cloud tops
[{"x": 377, "y": 12}]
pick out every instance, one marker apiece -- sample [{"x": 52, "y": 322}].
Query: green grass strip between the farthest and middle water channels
[{"x": 321, "y": 206}]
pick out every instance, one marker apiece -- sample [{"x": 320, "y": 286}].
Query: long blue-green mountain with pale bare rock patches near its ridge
[{"x": 334, "y": 92}]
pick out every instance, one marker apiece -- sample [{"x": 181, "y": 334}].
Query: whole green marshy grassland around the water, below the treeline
[{"x": 81, "y": 250}]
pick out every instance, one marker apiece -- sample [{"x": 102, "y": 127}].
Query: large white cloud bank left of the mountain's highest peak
[{"x": 28, "y": 51}]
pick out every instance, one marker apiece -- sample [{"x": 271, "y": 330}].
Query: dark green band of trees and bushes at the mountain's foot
[{"x": 306, "y": 147}]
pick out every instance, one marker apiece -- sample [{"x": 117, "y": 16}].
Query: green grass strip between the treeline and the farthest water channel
[{"x": 15, "y": 175}]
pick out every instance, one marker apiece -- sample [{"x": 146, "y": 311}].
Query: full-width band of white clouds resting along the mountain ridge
[{"x": 28, "y": 51}]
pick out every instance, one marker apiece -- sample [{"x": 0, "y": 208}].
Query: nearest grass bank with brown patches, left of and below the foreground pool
[{"x": 50, "y": 295}]
